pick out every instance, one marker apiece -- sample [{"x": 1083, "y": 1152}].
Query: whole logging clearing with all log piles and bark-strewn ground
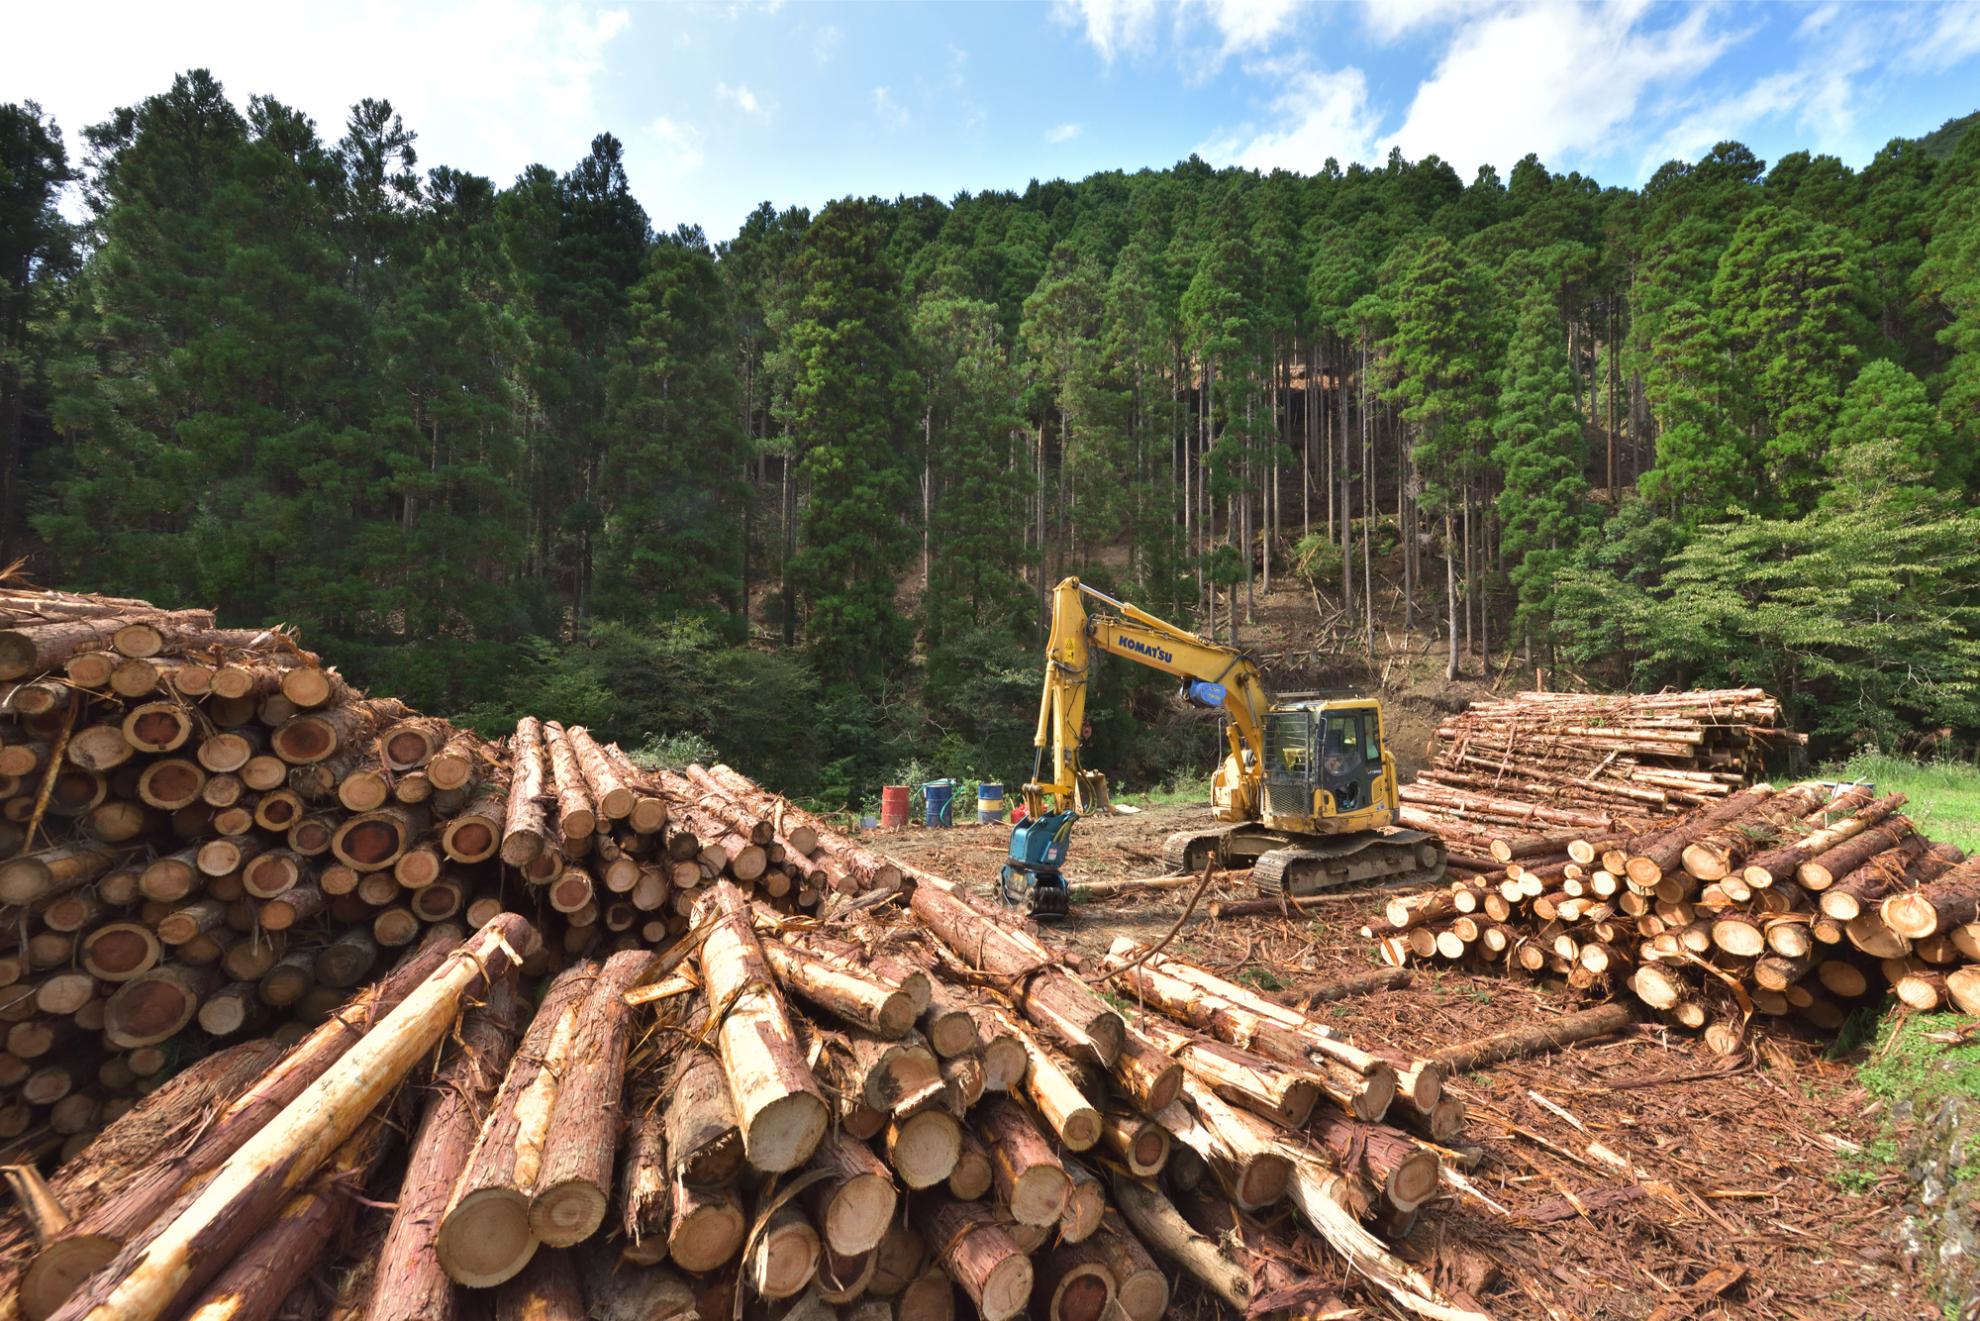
[{"x": 1290, "y": 1102}]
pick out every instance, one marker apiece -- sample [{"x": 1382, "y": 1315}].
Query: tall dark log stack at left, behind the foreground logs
[{"x": 211, "y": 837}]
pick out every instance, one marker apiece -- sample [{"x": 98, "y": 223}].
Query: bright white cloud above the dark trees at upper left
[{"x": 488, "y": 86}]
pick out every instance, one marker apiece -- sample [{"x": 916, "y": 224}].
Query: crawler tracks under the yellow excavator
[{"x": 1306, "y": 864}]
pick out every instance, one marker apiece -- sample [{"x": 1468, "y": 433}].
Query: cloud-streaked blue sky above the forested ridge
[{"x": 724, "y": 106}]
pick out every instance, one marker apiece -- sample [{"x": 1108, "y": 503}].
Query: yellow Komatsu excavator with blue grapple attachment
[{"x": 1306, "y": 793}]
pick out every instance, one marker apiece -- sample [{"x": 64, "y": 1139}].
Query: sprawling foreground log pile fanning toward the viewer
[{"x": 882, "y": 1116}]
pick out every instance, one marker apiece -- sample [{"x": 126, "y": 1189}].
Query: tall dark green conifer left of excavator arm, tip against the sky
[{"x": 852, "y": 403}]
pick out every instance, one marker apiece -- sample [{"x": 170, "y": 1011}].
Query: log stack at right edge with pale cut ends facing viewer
[{"x": 1797, "y": 902}]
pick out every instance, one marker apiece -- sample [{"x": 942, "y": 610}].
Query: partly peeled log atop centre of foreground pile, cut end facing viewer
[{"x": 779, "y": 1106}]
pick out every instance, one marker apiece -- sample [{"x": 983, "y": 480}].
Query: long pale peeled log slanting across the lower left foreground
[{"x": 155, "y": 1274}]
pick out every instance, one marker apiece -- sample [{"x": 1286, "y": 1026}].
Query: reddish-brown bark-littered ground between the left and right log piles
[{"x": 1634, "y": 1179}]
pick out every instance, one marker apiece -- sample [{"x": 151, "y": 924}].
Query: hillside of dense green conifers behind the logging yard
[{"x": 500, "y": 447}]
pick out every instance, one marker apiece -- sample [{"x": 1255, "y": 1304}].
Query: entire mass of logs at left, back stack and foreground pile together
[{"x": 385, "y": 1021}]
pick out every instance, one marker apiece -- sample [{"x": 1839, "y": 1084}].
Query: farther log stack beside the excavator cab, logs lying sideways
[{"x": 1621, "y": 760}]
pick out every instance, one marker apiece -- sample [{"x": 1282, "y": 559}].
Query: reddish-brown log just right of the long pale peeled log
[{"x": 413, "y": 1286}]
